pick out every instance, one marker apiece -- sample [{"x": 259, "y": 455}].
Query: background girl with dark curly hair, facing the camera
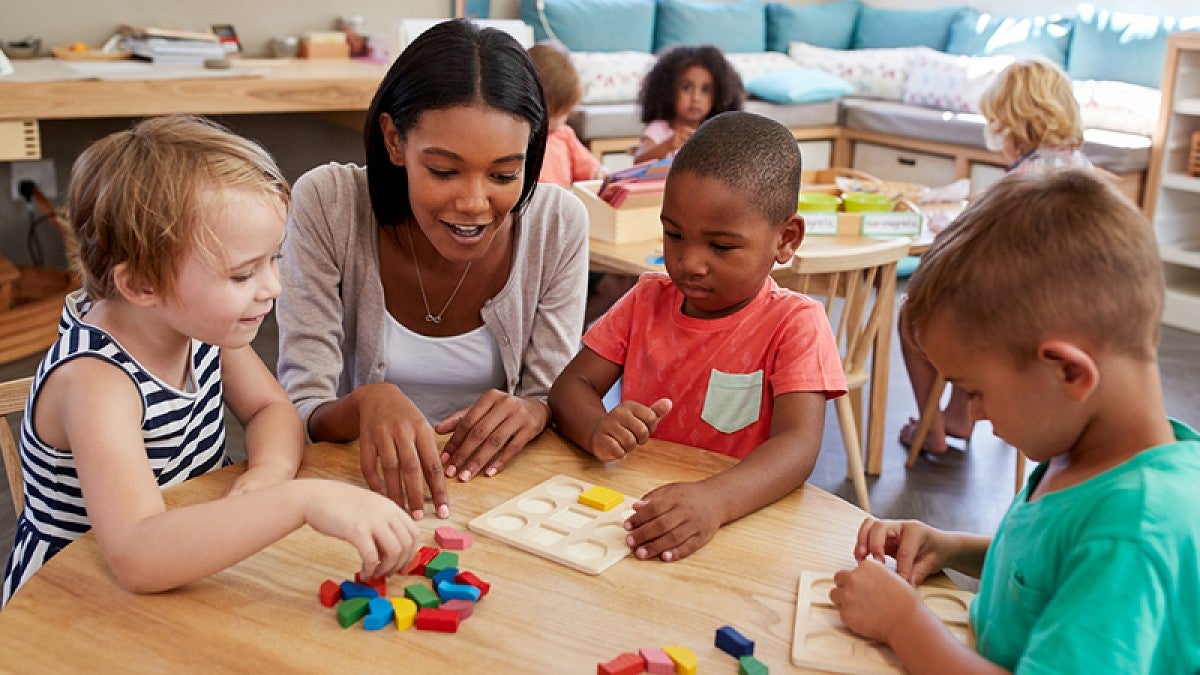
[{"x": 687, "y": 86}]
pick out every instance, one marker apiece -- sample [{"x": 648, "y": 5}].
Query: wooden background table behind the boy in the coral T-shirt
[{"x": 635, "y": 259}]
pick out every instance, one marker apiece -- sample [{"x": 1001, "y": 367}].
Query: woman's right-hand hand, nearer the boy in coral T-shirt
[{"x": 489, "y": 434}]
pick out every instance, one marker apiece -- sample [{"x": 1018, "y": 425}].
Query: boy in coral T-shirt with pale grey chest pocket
[{"x": 713, "y": 354}]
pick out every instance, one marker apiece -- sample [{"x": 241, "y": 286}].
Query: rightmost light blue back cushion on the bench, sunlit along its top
[{"x": 1123, "y": 46}]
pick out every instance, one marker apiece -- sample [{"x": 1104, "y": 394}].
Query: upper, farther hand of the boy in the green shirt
[{"x": 917, "y": 548}]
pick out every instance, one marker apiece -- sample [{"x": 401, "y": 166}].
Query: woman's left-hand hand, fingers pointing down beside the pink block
[{"x": 399, "y": 449}]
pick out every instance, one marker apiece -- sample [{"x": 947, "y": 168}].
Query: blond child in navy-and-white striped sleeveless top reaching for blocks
[{"x": 178, "y": 226}]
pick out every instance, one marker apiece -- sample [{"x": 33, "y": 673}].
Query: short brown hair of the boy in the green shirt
[{"x": 1042, "y": 255}]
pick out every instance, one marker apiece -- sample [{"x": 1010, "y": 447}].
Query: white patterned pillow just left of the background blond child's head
[{"x": 950, "y": 82}]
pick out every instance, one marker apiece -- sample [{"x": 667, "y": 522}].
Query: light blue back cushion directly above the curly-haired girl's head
[{"x": 734, "y": 27}]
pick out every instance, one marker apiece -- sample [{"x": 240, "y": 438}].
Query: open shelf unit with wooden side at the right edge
[{"x": 1173, "y": 196}]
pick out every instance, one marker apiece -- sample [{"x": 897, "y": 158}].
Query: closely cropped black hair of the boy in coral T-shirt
[{"x": 752, "y": 154}]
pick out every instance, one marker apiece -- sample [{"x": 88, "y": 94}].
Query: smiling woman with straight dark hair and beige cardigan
[{"x": 439, "y": 290}]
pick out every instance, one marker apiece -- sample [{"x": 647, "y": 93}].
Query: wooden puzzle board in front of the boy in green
[{"x": 821, "y": 641}]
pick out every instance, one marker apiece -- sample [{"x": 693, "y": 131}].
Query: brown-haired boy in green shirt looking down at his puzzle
[{"x": 1043, "y": 303}]
